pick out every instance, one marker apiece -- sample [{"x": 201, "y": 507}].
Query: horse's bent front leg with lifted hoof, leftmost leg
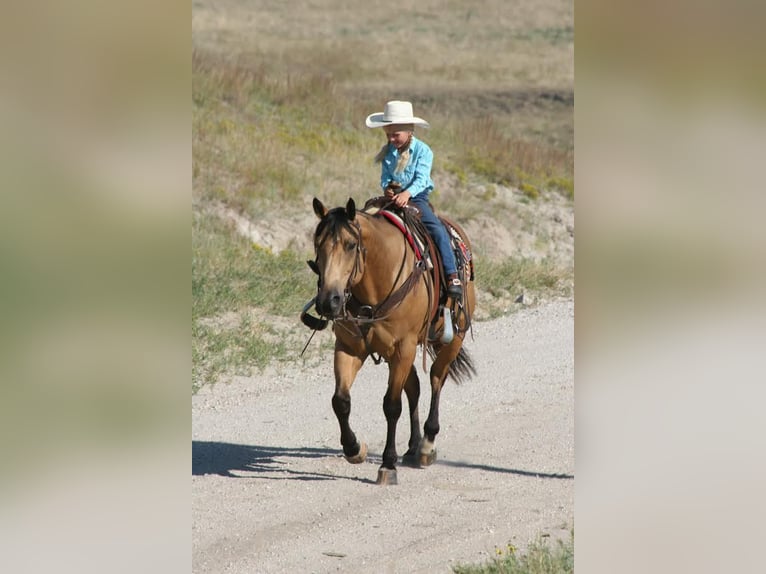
[{"x": 347, "y": 366}]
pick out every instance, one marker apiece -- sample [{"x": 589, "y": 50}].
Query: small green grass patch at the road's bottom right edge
[{"x": 539, "y": 558}]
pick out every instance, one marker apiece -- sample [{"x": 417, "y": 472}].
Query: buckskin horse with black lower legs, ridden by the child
[{"x": 376, "y": 289}]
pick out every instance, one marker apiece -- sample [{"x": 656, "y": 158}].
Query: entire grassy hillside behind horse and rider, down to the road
[{"x": 280, "y": 92}]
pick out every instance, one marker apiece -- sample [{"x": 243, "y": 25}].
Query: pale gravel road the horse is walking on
[{"x": 271, "y": 492}]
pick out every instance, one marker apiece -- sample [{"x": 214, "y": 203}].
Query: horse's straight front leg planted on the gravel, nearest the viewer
[{"x": 399, "y": 370}]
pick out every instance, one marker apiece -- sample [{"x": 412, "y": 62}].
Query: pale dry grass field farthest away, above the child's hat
[{"x": 492, "y": 43}]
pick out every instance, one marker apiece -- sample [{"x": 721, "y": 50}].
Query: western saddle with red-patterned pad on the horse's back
[{"x": 408, "y": 221}]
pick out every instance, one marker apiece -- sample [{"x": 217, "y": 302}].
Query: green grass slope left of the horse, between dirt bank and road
[{"x": 238, "y": 292}]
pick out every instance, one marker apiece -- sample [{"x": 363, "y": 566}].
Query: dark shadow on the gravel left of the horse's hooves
[{"x": 224, "y": 458}]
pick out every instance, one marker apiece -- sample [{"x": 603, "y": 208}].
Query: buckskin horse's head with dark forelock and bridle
[{"x": 339, "y": 256}]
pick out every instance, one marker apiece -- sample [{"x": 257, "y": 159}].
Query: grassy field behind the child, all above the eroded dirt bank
[{"x": 281, "y": 90}]
